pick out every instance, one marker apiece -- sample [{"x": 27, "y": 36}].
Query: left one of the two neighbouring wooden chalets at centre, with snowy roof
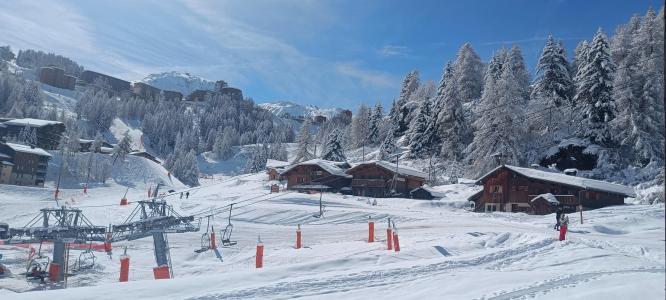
[{"x": 317, "y": 175}]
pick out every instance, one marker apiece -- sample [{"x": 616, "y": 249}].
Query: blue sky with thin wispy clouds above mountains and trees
[{"x": 327, "y": 53}]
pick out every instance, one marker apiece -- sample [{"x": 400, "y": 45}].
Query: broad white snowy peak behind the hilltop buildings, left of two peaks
[{"x": 185, "y": 83}]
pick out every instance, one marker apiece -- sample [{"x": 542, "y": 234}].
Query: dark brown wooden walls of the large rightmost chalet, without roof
[{"x": 509, "y": 191}]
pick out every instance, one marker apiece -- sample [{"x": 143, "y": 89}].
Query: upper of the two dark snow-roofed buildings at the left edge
[{"x": 47, "y": 132}]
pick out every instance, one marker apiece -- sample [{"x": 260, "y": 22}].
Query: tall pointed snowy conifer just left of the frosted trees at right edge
[{"x": 594, "y": 88}]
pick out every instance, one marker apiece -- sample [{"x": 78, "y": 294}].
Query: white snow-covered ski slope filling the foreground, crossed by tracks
[{"x": 446, "y": 252}]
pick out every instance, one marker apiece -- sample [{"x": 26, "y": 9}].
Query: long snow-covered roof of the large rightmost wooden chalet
[{"x": 585, "y": 183}]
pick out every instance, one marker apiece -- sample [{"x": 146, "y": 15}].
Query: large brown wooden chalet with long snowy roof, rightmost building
[{"x": 540, "y": 191}]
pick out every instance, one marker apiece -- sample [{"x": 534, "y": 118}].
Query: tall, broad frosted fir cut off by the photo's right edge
[{"x": 639, "y": 89}]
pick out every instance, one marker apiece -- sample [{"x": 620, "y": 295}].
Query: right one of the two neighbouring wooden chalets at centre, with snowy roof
[{"x": 384, "y": 179}]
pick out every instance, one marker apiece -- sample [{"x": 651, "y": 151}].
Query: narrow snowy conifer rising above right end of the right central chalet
[{"x": 422, "y": 133}]
